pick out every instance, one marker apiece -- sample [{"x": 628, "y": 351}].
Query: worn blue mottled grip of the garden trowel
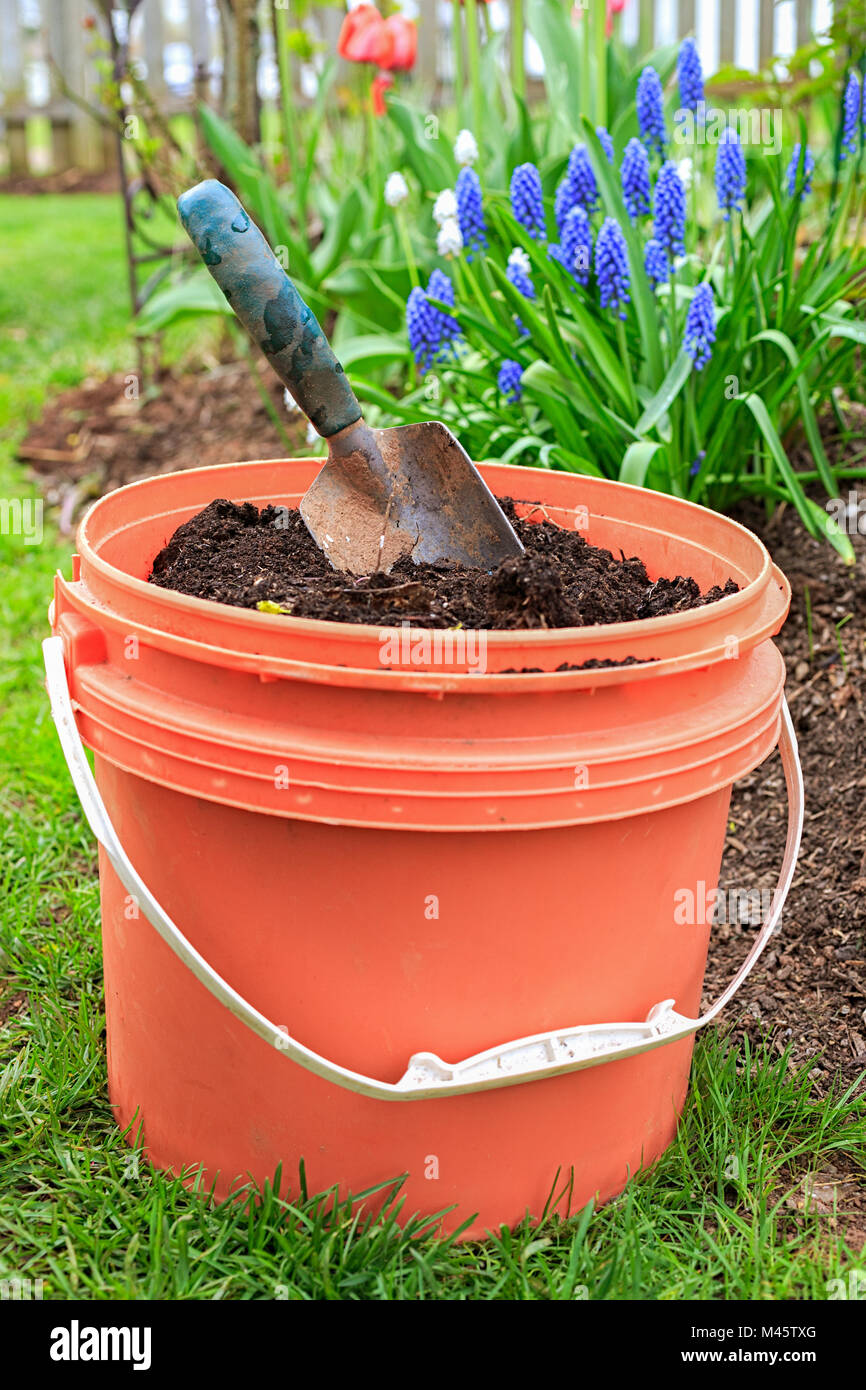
[{"x": 269, "y": 306}]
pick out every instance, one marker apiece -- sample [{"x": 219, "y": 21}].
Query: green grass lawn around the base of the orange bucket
[{"x": 79, "y": 1210}]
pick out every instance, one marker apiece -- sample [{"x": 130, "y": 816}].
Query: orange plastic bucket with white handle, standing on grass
[{"x": 354, "y": 860}]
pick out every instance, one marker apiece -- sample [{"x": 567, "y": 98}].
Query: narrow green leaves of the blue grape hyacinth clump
[{"x": 790, "y": 333}]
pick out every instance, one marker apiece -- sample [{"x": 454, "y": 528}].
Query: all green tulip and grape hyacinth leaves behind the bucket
[{"x": 618, "y": 401}]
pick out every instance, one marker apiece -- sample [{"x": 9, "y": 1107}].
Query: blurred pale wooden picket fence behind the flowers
[{"x": 49, "y": 66}]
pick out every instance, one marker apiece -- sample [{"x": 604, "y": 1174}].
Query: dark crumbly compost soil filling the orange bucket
[{"x": 234, "y": 554}]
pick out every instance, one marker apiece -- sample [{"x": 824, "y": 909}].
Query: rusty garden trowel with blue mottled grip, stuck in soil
[{"x": 383, "y": 493}]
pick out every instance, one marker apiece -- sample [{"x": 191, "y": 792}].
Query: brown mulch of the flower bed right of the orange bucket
[{"x": 810, "y": 988}]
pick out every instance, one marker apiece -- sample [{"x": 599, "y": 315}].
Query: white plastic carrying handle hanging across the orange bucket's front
[{"x": 427, "y": 1077}]
